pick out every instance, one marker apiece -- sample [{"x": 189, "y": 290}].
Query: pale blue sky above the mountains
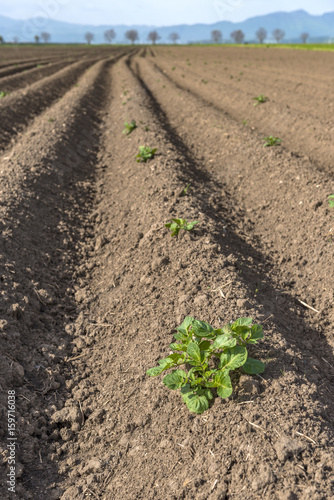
[{"x": 155, "y": 12}]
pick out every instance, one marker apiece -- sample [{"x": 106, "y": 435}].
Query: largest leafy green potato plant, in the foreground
[{"x": 213, "y": 354}]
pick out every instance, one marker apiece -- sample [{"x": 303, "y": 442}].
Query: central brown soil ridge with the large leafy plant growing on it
[{"x": 137, "y": 285}]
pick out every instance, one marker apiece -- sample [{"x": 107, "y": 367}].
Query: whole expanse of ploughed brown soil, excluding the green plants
[{"x": 93, "y": 286}]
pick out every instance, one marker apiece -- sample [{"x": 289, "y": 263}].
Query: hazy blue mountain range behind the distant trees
[{"x": 320, "y": 29}]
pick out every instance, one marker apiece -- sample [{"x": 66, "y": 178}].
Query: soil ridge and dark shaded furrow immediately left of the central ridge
[{"x": 47, "y": 189}]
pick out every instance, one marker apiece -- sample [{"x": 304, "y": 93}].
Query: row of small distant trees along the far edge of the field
[{"x": 132, "y": 36}]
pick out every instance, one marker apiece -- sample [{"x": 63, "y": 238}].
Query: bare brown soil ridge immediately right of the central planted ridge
[{"x": 280, "y": 194}]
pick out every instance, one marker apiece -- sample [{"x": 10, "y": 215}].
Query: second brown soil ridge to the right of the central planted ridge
[{"x": 291, "y": 117}]
